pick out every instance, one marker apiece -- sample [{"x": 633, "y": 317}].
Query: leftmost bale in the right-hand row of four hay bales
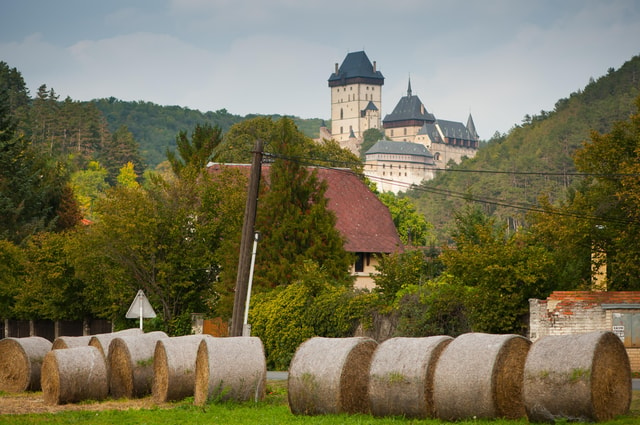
[{"x": 330, "y": 375}]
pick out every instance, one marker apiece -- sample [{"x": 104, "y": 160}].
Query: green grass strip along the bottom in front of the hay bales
[{"x": 273, "y": 410}]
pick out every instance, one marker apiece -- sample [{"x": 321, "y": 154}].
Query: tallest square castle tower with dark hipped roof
[{"x": 356, "y": 97}]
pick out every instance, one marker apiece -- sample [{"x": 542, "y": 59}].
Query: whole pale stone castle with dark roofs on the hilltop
[{"x": 417, "y": 142}]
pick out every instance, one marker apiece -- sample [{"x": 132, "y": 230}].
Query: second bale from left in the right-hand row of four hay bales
[{"x": 401, "y": 376}]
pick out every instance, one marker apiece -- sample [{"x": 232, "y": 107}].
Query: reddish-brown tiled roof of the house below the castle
[{"x": 361, "y": 217}]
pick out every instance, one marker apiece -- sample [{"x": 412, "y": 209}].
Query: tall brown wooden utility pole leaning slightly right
[{"x": 242, "y": 281}]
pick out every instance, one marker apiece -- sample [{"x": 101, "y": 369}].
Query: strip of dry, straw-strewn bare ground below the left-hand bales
[{"x": 33, "y": 402}]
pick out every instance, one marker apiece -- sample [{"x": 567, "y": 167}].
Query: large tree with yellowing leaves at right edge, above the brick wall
[{"x": 599, "y": 214}]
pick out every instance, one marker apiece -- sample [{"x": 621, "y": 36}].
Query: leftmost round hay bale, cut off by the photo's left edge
[{"x": 21, "y": 363}]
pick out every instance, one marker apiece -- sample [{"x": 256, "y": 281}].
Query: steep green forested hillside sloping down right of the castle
[{"x": 534, "y": 158}]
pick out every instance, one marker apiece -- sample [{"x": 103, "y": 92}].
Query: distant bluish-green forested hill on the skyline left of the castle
[{"x": 155, "y": 127}]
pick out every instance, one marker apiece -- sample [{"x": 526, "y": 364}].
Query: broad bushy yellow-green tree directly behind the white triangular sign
[{"x": 155, "y": 239}]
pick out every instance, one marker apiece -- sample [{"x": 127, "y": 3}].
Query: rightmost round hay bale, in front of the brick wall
[{"x": 583, "y": 377}]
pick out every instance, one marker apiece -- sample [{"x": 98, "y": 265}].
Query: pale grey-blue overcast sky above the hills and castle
[{"x": 498, "y": 59}]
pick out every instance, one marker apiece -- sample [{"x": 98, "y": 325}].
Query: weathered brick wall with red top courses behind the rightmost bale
[{"x": 572, "y": 312}]
